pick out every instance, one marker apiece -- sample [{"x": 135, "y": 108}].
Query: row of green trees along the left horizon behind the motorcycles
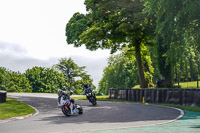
[{"x": 48, "y": 80}]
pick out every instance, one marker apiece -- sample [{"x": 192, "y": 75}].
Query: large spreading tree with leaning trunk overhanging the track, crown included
[{"x": 112, "y": 24}]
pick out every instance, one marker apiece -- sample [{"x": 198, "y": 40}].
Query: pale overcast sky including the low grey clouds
[{"x": 32, "y": 33}]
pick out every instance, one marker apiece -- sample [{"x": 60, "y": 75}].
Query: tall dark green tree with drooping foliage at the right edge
[{"x": 176, "y": 22}]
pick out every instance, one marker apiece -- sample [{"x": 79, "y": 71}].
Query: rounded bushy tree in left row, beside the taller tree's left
[{"x": 44, "y": 79}]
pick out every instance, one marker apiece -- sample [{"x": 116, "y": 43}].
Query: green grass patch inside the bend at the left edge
[{"x": 13, "y": 108}]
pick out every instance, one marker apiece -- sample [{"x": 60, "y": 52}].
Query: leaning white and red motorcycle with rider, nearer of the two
[{"x": 67, "y": 104}]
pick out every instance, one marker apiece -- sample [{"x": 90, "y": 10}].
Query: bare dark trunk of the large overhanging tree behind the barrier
[{"x": 143, "y": 84}]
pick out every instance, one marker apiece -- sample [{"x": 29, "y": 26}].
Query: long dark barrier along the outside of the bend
[{"x": 188, "y": 97}]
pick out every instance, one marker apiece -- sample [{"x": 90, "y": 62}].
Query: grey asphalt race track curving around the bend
[{"x": 106, "y": 115}]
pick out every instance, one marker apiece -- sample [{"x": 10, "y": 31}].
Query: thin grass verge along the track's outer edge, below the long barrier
[{"x": 106, "y": 98}]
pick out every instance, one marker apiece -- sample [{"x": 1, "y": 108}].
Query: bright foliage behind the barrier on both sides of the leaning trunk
[{"x": 121, "y": 72}]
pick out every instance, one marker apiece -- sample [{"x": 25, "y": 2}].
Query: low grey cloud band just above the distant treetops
[{"x": 15, "y": 58}]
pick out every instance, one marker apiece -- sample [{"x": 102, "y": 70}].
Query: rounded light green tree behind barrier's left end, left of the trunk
[{"x": 121, "y": 73}]
